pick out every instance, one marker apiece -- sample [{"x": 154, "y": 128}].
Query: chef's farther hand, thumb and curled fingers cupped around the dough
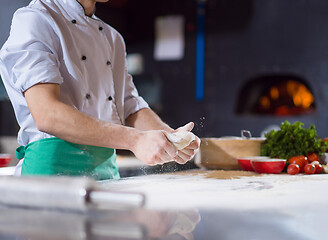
[{"x": 186, "y": 154}]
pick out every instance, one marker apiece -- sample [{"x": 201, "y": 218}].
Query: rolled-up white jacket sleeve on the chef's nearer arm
[{"x": 30, "y": 53}]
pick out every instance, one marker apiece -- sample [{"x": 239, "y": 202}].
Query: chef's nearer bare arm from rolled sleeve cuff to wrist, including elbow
[{"x": 63, "y": 121}]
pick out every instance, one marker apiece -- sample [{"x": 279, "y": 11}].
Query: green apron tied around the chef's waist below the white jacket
[{"x": 54, "y": 156}]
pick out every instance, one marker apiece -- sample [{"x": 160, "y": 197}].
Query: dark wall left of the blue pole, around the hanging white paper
[{"x": 136, "y": 23}]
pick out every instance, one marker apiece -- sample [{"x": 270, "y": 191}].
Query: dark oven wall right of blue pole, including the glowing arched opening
[{"x": 266, "y": 62}]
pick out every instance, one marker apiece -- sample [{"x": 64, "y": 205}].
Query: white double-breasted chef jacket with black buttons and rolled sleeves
[{"x": 53, "y": 41}]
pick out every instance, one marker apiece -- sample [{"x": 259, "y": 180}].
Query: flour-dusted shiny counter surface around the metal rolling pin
[{"x": 191, "y": 205}]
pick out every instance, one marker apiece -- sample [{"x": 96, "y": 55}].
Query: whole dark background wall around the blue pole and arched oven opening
[{"x": 244, "y": 39}]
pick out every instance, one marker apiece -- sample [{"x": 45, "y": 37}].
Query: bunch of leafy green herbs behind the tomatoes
[{"x": 292, "y": 140}]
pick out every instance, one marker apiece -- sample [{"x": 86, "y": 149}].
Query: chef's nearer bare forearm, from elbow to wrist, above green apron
[{"x": 74, "y": 126}]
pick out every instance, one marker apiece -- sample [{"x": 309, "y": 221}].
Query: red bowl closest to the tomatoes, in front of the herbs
[{"x": 269, "y": 165}]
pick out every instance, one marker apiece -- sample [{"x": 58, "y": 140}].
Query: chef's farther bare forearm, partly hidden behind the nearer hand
[{"x": 146, "y": 119}]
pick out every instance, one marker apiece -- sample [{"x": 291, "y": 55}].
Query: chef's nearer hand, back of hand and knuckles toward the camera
[{"x": 153, "y": 147}]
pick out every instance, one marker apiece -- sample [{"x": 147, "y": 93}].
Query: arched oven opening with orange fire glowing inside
[{"x": 280, "y": 95}]
